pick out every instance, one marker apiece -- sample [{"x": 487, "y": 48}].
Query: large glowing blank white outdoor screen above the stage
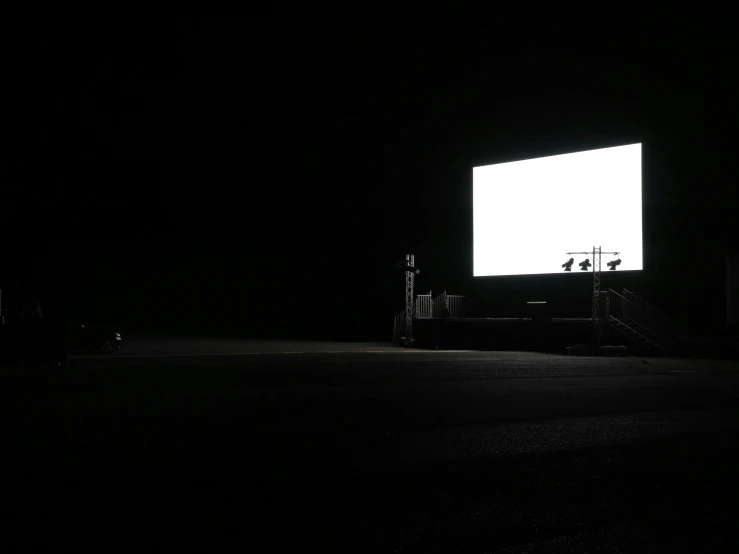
[{"x": 528, "y": 214}]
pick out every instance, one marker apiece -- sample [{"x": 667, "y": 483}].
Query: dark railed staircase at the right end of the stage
[{"x": 640, "y": 322}]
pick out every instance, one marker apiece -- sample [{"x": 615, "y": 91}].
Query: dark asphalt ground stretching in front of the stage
[{"x": 197, "y": 445}]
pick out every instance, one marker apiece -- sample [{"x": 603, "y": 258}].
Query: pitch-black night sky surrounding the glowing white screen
[{"x": 264, "y": 177}]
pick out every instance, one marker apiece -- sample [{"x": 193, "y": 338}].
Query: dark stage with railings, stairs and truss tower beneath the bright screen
[{"x": 618, "y": 318}]
